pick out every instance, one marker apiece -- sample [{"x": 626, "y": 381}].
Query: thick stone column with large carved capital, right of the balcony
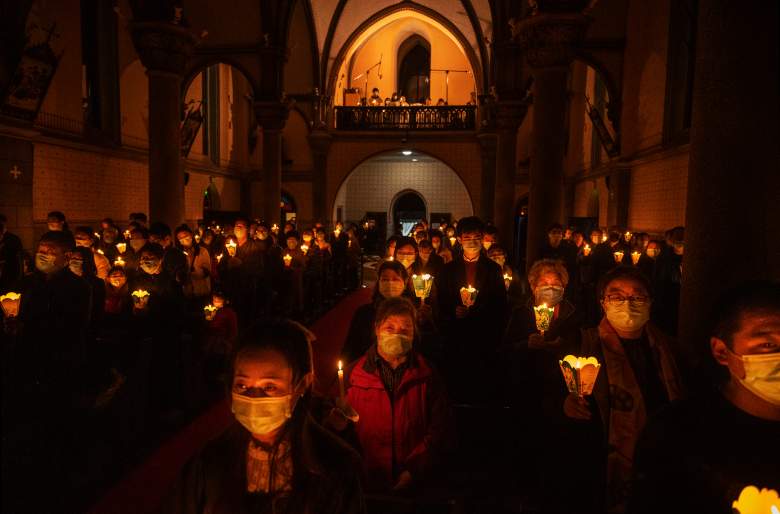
[{"x": 549, "y": 41}]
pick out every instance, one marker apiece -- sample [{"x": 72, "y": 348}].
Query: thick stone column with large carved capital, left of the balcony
[{"x": 164, "y": 49}]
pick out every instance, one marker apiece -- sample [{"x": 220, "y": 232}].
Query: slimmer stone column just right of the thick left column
[{"x": 271, "y": 115}]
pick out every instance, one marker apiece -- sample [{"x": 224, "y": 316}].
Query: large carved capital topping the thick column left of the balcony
[{"x": 163, "y": 47}]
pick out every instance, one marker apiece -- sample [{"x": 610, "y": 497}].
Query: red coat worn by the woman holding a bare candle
[{"x": 411, "y": 432}]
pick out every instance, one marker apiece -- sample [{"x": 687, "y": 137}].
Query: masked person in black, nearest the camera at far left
[{"x": 45, "y": 369}]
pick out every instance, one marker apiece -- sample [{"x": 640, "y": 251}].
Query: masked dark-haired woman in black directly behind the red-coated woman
[{"x": 391, "y": 282}]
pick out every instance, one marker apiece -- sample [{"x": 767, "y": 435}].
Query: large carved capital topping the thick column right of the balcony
[{"x": 550, "y": 40}]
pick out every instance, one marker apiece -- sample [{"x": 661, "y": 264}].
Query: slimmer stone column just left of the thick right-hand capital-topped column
[{"x": 510, "y": 115}]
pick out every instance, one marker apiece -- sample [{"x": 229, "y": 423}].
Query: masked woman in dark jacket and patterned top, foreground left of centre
[{"x": 276, "y": 456}]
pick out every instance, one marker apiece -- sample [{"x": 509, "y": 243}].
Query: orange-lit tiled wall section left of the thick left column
[{"x": 87, "y": 186}]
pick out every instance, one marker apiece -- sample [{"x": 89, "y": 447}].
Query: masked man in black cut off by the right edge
[{"x": 696, "y": 455}]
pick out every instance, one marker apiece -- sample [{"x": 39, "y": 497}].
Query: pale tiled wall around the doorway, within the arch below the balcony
[{"x": 374, "y": 184}]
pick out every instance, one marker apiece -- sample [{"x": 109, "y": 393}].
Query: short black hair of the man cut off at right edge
[{"x": 759, "y": 296}]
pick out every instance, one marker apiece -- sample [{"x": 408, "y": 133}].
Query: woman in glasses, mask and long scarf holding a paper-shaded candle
[{"x": 638, "y": 377}]
